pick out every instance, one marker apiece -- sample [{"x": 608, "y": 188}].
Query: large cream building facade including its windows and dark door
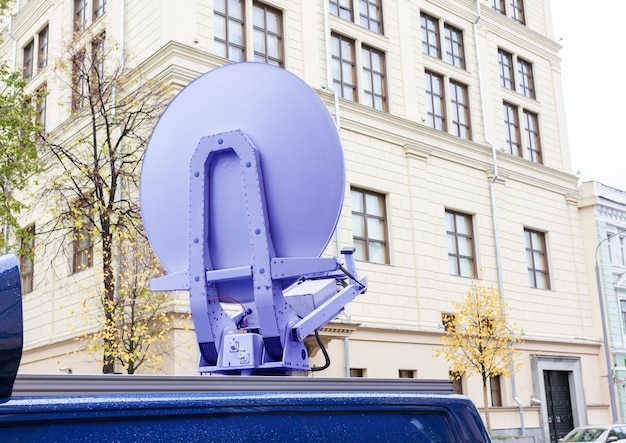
[{"x": 451, "y": 118}]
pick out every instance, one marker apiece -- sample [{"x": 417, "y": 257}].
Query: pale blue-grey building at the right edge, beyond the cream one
[{"x": 603, "y": 213}]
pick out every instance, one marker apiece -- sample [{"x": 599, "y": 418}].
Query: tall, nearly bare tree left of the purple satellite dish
[{"x": 93, "y": 163}]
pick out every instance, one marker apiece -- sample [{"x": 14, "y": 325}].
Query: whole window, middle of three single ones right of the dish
[{"x": 461, "y": 258}]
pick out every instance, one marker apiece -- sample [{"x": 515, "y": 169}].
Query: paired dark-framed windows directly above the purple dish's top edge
[{"x": 231, "y": 29}]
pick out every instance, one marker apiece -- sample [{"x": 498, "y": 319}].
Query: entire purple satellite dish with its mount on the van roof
[{"x": 241, "y": 189}]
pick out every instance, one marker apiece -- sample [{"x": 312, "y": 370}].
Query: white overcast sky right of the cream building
[{"x": 594, "y": 86}]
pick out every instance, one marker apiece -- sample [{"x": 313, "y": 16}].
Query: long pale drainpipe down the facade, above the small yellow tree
[{"x": 494, "y": 216}]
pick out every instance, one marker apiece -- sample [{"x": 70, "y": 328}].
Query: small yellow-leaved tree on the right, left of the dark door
[{"x": 479, "y": 338}]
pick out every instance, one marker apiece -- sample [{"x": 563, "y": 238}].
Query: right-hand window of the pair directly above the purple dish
[{"x": 268, "y": 39}]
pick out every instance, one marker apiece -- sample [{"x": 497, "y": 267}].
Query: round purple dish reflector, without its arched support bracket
[{"x": 300, "y": 155}]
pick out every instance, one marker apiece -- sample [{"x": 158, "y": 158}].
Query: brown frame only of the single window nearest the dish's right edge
[{"x": 365, "y": 216}]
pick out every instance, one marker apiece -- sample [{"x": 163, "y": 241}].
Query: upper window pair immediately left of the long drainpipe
[{"x": 431, "y": 43}]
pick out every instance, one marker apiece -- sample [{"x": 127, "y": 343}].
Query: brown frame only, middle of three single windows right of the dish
[{"x": 455, "y": 235}]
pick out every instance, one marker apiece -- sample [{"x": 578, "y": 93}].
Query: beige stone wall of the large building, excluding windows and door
[{"x": 422, "y": 172}]
